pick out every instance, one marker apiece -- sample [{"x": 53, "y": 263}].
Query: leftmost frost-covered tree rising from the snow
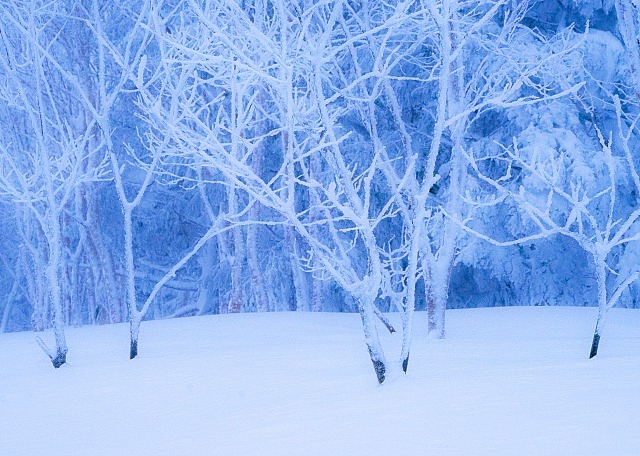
[{"x": 52, "y": 151}]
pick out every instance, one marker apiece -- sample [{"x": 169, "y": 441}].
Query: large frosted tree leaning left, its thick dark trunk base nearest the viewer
[{"x": 283, "y": 70}]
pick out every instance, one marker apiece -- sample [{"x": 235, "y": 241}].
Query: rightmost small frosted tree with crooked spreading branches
[{"x": 571, "y": 186}]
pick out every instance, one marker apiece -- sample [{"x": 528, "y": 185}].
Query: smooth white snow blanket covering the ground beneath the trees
[{"x": 506, "y": 381}]
